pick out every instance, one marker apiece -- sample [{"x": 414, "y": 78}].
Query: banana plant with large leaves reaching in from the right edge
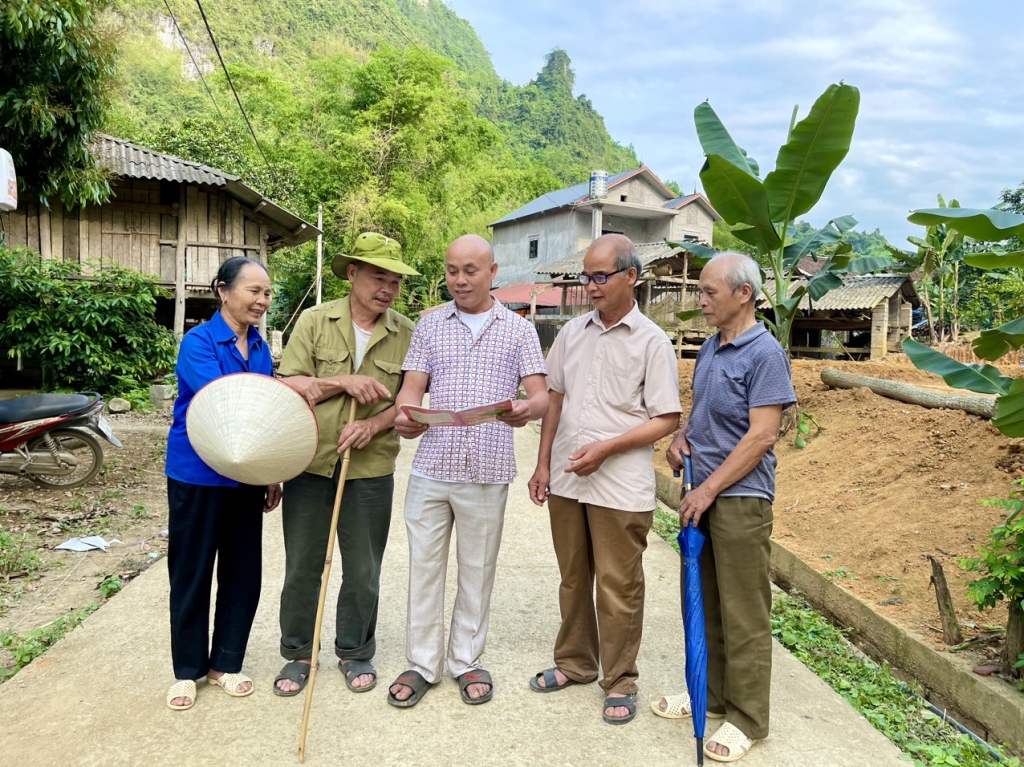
[{"x": 983, "y": 226}]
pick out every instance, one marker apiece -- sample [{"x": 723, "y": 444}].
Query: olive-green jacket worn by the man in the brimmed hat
[{"x": 323, "y": 346}]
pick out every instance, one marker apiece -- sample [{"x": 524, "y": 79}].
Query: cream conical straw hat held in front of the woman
[{"x": 253, "y": 430}]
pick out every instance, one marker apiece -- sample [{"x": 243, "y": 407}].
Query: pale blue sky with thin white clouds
[{"x": 943, "y": 93}]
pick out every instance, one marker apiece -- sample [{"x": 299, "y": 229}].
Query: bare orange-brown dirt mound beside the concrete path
[{"x": 884, "y": 486}]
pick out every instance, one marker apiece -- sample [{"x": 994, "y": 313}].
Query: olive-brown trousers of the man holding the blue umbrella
[{"x": 738, "y": 611}]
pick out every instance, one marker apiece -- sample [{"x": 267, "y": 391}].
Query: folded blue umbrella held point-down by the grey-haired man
[{"x": 692, "y": 542}]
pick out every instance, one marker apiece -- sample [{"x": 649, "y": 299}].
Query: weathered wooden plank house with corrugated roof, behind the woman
[{"x": 168, "y": 218}]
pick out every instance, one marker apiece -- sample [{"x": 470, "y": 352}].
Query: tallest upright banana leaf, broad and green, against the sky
[{"x": 817, "y": 147}]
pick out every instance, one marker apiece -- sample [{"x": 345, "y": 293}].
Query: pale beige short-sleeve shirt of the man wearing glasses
[{"x": 614, "y": 380}]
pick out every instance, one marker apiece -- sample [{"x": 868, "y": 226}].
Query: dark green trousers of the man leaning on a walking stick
[{"x": 363, "y": 530}]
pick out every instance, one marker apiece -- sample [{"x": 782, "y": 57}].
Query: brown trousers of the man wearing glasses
[{"x": 595, "y": 544}]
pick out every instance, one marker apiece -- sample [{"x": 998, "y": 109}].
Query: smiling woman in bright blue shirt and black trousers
[{"x": 214, "y": 518}]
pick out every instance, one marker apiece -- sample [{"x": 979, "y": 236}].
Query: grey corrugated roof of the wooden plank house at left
[{"x": 132, "y": 161}]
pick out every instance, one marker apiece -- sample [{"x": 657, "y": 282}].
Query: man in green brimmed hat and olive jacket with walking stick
[{"x": 353, "y": 348}]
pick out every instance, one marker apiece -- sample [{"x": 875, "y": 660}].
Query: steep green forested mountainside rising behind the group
[{"x": 389, "y": 113}]
